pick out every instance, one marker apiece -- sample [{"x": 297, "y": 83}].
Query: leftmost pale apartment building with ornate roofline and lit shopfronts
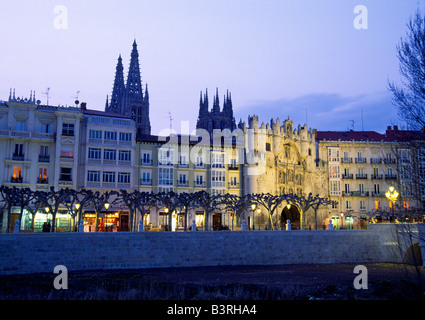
[{"x": 40, "y": 149}]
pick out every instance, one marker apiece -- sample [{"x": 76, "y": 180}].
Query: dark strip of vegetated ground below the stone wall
[{"x": 329, "y": 282}]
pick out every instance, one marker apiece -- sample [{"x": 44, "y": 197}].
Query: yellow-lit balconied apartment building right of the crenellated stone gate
[{"x": 362, "y": 165}]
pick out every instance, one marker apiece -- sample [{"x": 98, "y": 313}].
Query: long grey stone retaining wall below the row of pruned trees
[{"x": 41, "y": 252}]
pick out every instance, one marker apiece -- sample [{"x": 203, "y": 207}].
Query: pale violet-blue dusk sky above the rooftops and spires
[{"x": 299, "y": 58}]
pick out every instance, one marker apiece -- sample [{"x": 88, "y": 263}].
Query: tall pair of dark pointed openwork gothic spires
[{"x": 128, "y": 99}]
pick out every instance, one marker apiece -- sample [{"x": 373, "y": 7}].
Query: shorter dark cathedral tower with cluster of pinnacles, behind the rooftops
[{"x": 215, "y": 119}]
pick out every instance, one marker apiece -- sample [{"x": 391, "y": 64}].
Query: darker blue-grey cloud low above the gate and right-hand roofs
[{"x": 327, "y": 112}]
